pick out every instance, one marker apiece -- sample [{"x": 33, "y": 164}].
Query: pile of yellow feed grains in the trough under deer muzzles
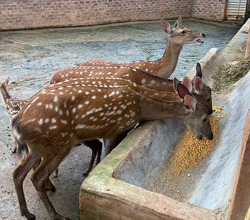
[{"x": 190, "y": 151}]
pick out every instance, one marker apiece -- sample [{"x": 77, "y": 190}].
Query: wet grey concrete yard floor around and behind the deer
[{"x": 30, "y": 58}]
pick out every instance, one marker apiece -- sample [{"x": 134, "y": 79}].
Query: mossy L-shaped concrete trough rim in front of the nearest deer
[{"x": 104, "y": 197}]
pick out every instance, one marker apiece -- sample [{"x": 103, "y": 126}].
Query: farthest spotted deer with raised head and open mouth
[{"x": 178, "y": 36}]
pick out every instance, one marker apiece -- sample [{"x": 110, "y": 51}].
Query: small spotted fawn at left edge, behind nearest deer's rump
[{"x": 12, "y": 105}]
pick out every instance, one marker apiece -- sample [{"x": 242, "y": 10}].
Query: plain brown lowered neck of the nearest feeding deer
[{"x": 151, "y": 109}]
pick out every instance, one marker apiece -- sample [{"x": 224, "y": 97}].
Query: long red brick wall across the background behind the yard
[{"x": 18, "y": 14}]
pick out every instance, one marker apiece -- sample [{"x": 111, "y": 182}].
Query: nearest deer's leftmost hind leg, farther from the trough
[{"x": 19, "y": 175}]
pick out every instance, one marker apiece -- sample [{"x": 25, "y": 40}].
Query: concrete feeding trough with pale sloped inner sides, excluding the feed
[{"x": 118, "y": 187}]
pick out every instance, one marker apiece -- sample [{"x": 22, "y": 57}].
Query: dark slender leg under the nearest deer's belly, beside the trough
[{"x": 96, "y": 147}]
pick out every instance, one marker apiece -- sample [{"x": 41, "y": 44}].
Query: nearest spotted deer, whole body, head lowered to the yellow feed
[{"x": 64, "y": 114}]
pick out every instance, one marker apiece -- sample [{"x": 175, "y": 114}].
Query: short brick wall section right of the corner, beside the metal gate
[{"x": 209, "y": 9}]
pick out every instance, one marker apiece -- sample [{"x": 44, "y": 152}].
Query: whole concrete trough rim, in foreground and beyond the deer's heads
[{"x": 104, "y": 197}]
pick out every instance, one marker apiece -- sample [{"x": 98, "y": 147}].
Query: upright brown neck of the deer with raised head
[{"x": 168, "y": 62}]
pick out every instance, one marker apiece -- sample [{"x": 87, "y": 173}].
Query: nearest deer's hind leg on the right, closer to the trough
[{"x": 39, "y": 179}]
